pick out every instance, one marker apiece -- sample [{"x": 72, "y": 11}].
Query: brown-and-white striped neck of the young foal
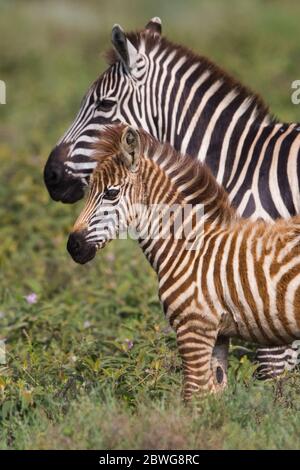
[{"x": 178, "y": 213}]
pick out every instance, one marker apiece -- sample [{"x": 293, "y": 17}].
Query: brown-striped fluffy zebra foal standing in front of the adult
[{"x": 218, "y": 274}]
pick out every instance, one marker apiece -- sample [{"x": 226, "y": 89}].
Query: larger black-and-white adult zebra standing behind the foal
[{"x": 188, "y": 101}]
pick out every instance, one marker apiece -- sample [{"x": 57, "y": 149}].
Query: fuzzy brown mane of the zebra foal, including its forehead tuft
[{"x": 192, "y": 178}]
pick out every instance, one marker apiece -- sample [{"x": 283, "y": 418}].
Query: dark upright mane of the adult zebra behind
[{"x": 151, "y": 41}]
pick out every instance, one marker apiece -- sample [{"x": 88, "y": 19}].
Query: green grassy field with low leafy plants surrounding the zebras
[{"x": 92, "y": 364}]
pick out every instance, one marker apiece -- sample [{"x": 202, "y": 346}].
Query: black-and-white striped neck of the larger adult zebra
[{"x": 206, "y": 112}]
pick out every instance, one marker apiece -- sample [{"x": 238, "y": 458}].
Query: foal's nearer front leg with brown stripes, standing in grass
[{"x": 196, "y": 348}]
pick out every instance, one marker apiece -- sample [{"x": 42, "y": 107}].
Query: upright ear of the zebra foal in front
[{"x": 130, "y": 148}]
